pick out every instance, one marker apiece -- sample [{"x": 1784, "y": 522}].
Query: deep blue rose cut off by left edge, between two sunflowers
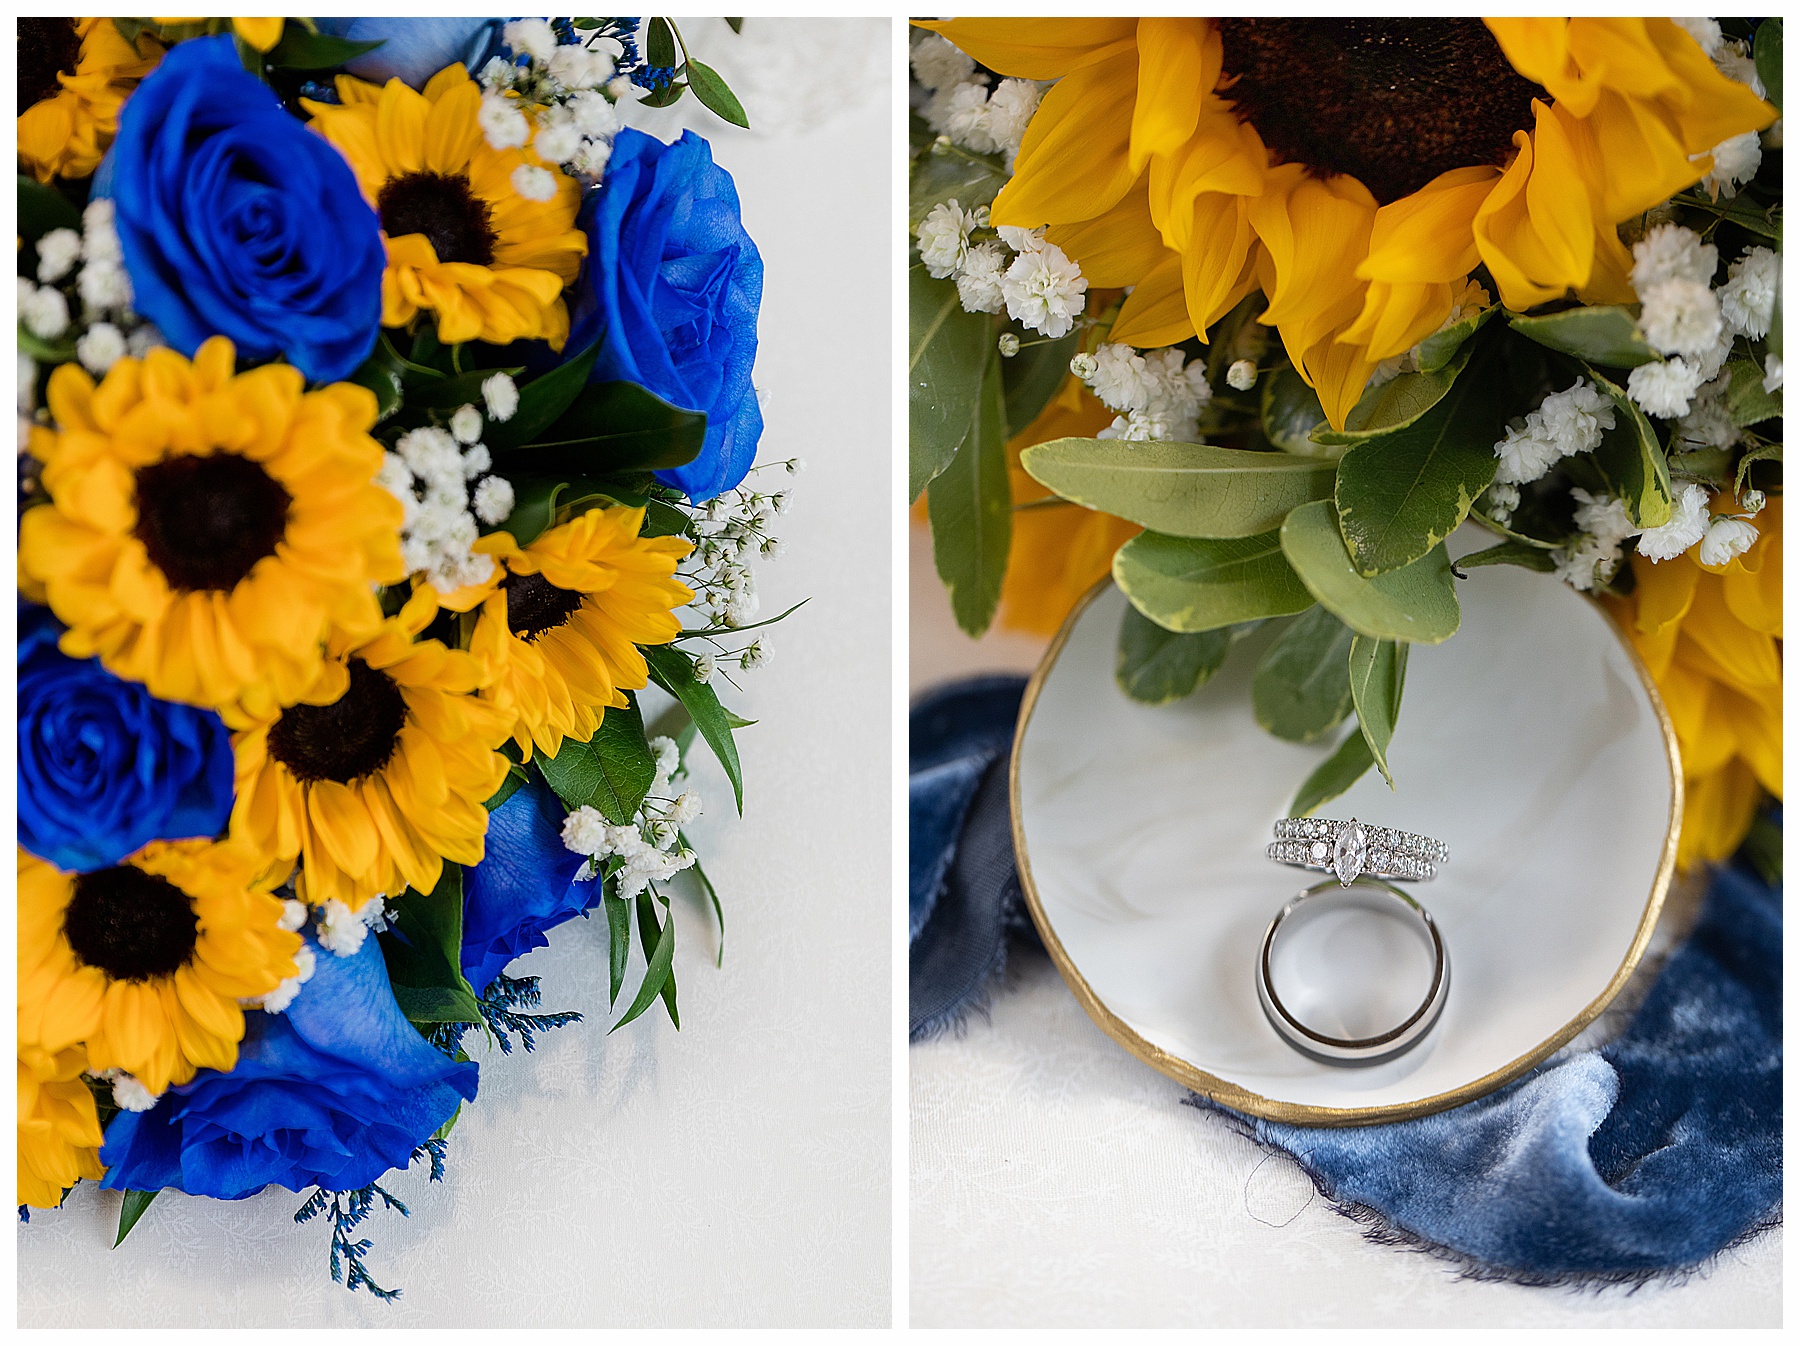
[{"x": 105, "y": 767}]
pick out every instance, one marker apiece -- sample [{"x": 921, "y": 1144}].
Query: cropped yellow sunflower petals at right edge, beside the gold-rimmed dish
[{"x": 1711, "y": 636}]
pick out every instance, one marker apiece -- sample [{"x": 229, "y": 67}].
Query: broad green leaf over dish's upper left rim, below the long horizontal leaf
[{"x": 1203, "y": 584}]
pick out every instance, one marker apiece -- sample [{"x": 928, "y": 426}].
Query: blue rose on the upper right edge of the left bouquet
[{"x": 674, "y": 283}]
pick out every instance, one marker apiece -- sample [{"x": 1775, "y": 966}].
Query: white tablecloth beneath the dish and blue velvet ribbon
[{"x": 1057, "y": 1181}]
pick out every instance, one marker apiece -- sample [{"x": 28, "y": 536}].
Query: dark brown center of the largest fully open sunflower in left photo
[{"x": 208, "y": 521}]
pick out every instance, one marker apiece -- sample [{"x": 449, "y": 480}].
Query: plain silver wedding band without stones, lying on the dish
[{"x": 1374, "y": 897}]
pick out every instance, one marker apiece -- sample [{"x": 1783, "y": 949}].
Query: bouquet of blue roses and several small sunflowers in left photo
[{"x": 386, "y": 427}]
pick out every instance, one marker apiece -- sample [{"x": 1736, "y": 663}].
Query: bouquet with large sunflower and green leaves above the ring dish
[{"x": 1257, "y": 312}]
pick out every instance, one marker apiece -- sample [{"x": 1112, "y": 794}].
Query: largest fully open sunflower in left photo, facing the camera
[{"x": 206, "y": 530}]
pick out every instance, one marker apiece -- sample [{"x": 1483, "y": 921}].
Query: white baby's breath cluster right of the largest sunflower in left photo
[{"x": 444, "y": 480}]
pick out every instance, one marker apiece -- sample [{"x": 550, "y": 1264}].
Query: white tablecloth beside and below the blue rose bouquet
[{"x": 735, "y": 1172}]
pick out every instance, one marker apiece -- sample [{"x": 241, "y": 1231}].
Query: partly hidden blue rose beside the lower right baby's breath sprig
[{"x": 523, "y": 888}]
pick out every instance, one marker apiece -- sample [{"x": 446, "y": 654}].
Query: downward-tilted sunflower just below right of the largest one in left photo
[{"x": 379, "y": 775}]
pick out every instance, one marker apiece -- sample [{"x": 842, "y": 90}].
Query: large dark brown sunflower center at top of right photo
[{"x": 1390, "y": 102}]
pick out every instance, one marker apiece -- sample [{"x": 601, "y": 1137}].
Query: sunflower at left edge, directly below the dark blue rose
[{"x": 145, "y": 964}]
